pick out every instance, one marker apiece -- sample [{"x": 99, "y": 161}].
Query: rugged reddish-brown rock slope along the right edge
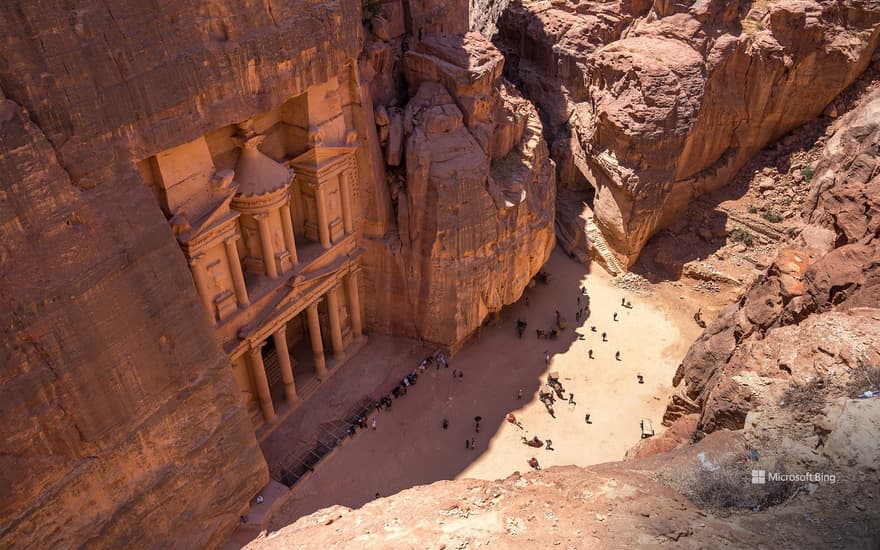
[{"x": 815, "y": 314}]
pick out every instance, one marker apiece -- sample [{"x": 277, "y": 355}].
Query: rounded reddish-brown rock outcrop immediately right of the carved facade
[{"x": 474, "y": 196}]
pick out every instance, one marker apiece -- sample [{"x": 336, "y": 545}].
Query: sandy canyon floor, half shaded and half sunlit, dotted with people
[{"x": 410, "y": 447}]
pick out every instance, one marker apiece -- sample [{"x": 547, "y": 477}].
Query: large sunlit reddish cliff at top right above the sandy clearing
[{"x": 653, "y": 105}]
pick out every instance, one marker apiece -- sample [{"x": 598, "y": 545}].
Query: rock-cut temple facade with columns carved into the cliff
[{"x": 266, "y": 213}]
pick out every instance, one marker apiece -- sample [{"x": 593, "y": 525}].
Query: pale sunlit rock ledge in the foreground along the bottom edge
[{"x": 617, "y": 505}]
